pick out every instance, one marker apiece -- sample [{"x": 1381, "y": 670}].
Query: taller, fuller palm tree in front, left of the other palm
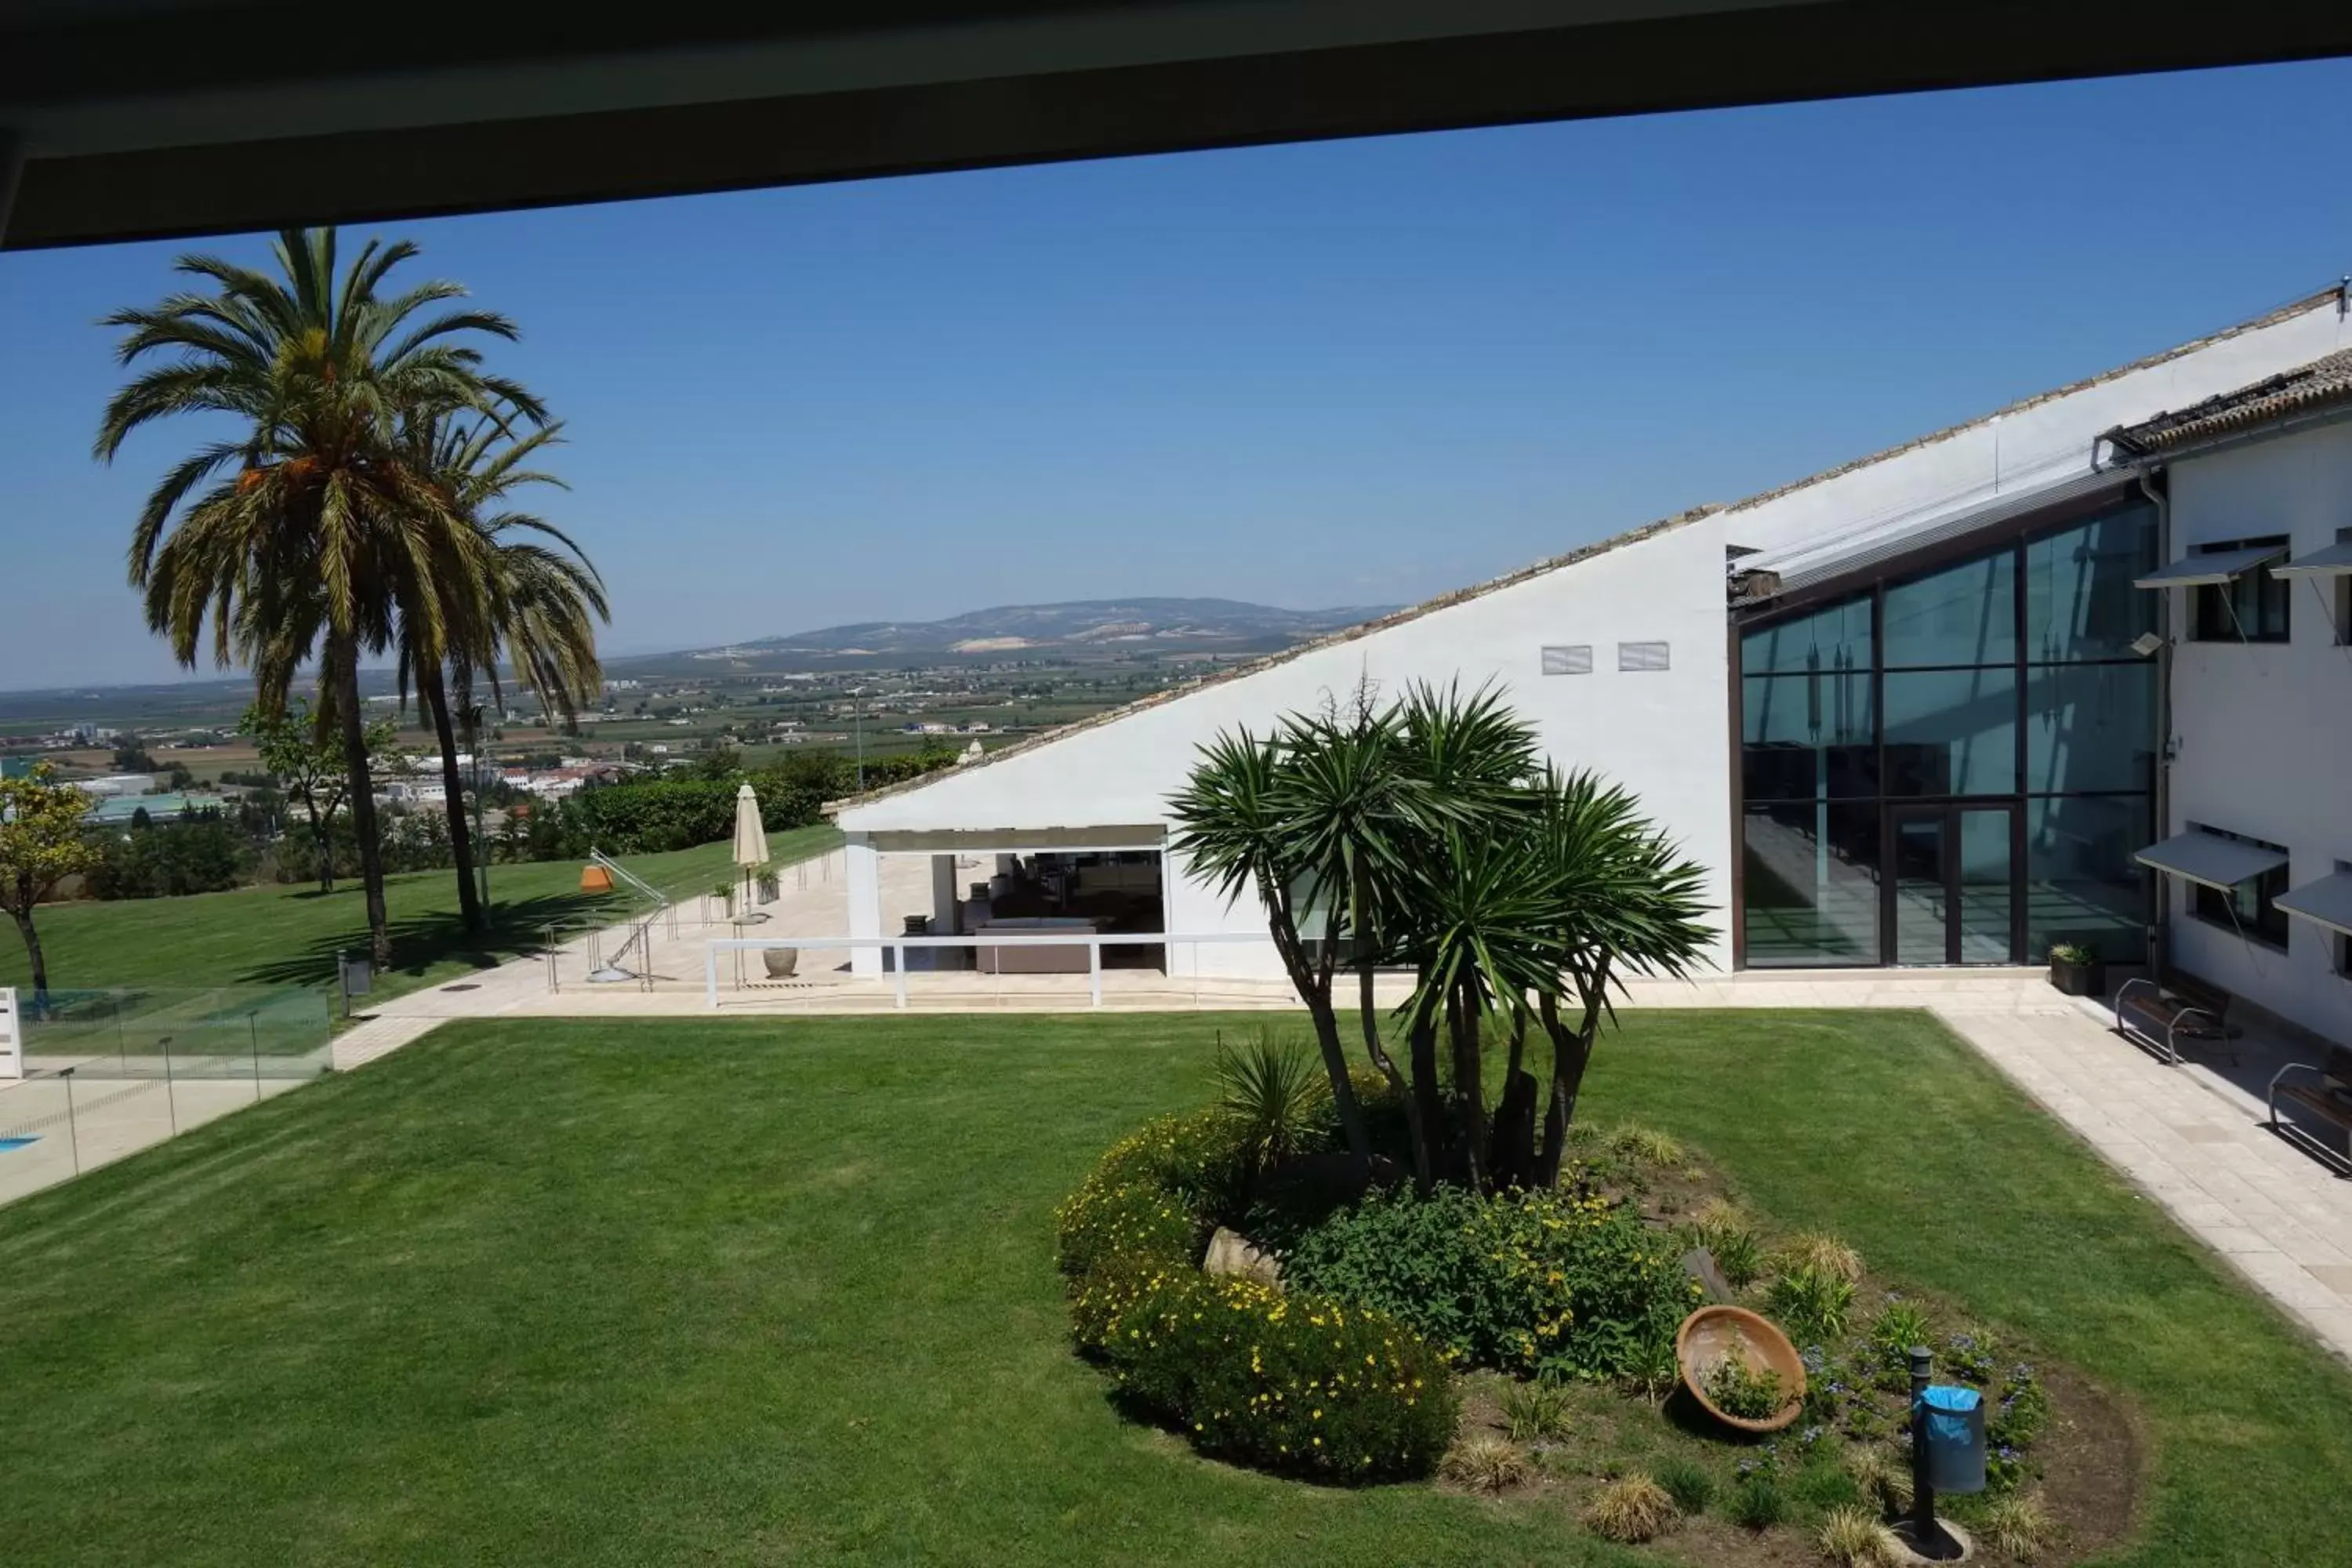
[{"x": 312, "y": 535}]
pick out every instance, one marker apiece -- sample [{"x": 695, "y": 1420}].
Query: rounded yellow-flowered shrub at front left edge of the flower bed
[{"x": 1290, "y": 1383}]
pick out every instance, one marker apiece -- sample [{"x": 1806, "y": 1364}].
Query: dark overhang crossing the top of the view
[{"x": 149, "y": 119}]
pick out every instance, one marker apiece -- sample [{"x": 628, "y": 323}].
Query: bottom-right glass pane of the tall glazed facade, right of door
[{"x": 2080, "y": 878}]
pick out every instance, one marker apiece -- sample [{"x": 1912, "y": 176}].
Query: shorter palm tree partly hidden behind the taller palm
[{"x": 537, "y": 605}]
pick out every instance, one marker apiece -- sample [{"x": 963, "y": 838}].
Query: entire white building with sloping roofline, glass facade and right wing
[{"x": 1909, "y": 711}]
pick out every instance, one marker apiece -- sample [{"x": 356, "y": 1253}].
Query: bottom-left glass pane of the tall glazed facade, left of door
[{"x": 1812, "y": 885}]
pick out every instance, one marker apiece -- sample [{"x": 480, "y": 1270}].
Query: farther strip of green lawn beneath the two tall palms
[{"x": 290, "y": 934}]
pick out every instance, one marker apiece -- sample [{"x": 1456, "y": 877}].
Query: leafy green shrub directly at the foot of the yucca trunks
[{"x": 1525, "y": 1282}]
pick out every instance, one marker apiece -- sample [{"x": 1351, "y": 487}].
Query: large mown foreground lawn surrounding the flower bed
[{"x": 784, "y": 1294}]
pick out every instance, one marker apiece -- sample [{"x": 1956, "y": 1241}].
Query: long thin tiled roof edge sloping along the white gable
[{"x": 1556, "y": 563}]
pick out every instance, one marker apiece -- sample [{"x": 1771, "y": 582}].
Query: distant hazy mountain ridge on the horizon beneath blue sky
[{"x": 1095, "y": 626}]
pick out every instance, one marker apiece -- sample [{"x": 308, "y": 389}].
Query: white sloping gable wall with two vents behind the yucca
[{"x": 1664, "y": 735}]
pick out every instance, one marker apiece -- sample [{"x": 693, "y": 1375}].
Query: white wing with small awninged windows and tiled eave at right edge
[{"x": 2259, "y": 815}]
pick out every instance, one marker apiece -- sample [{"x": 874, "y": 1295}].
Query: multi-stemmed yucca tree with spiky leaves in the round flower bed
[{"x": 1429, "y": 836}]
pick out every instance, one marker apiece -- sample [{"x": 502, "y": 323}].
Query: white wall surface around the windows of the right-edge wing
[{"x": 2266, "y": 730}]
